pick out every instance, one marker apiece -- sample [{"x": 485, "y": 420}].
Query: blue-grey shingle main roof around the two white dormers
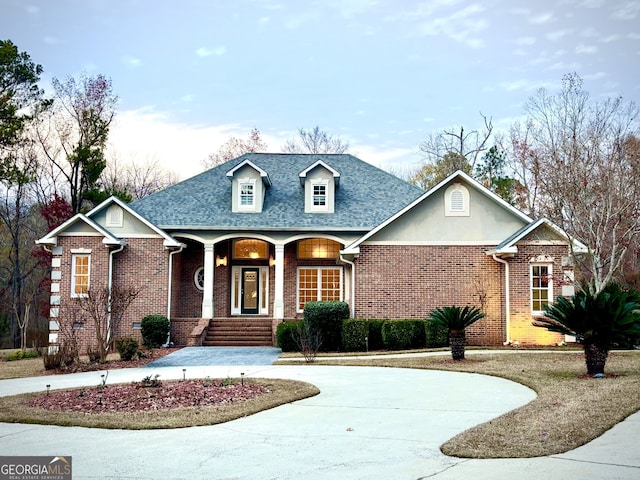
[{"x": 366, "y": 197}]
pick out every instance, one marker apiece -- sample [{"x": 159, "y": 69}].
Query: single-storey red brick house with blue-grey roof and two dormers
[{"x": 230, "y": 253}]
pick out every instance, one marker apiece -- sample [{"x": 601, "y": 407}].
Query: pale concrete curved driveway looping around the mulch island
[{"x": 368, "y": 423}]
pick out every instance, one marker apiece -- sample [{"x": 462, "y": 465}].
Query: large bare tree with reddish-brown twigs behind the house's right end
[{"x": 581, "y": 160}]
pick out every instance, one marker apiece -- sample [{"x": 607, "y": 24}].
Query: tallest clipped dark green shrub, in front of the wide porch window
[{"x": 325, "y": 319}]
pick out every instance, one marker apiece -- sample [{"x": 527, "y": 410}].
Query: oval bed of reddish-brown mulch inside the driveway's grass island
[{"x": 143, "y": 397}]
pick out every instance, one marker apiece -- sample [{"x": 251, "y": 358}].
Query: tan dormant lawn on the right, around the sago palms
[{"x": 570, "y": 409}]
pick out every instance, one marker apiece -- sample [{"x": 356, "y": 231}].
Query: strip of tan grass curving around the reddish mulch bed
[{"x": 14, "y": 409}]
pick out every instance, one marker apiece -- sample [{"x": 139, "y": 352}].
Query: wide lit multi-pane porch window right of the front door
[{"x": 319, "y": 284}]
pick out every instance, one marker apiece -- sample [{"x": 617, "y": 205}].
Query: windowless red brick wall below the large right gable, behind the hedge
[{"x": 409, "y": 281}]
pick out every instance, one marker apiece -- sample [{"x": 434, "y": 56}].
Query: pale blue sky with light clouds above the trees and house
[{"x": 381, "y": 74}]
